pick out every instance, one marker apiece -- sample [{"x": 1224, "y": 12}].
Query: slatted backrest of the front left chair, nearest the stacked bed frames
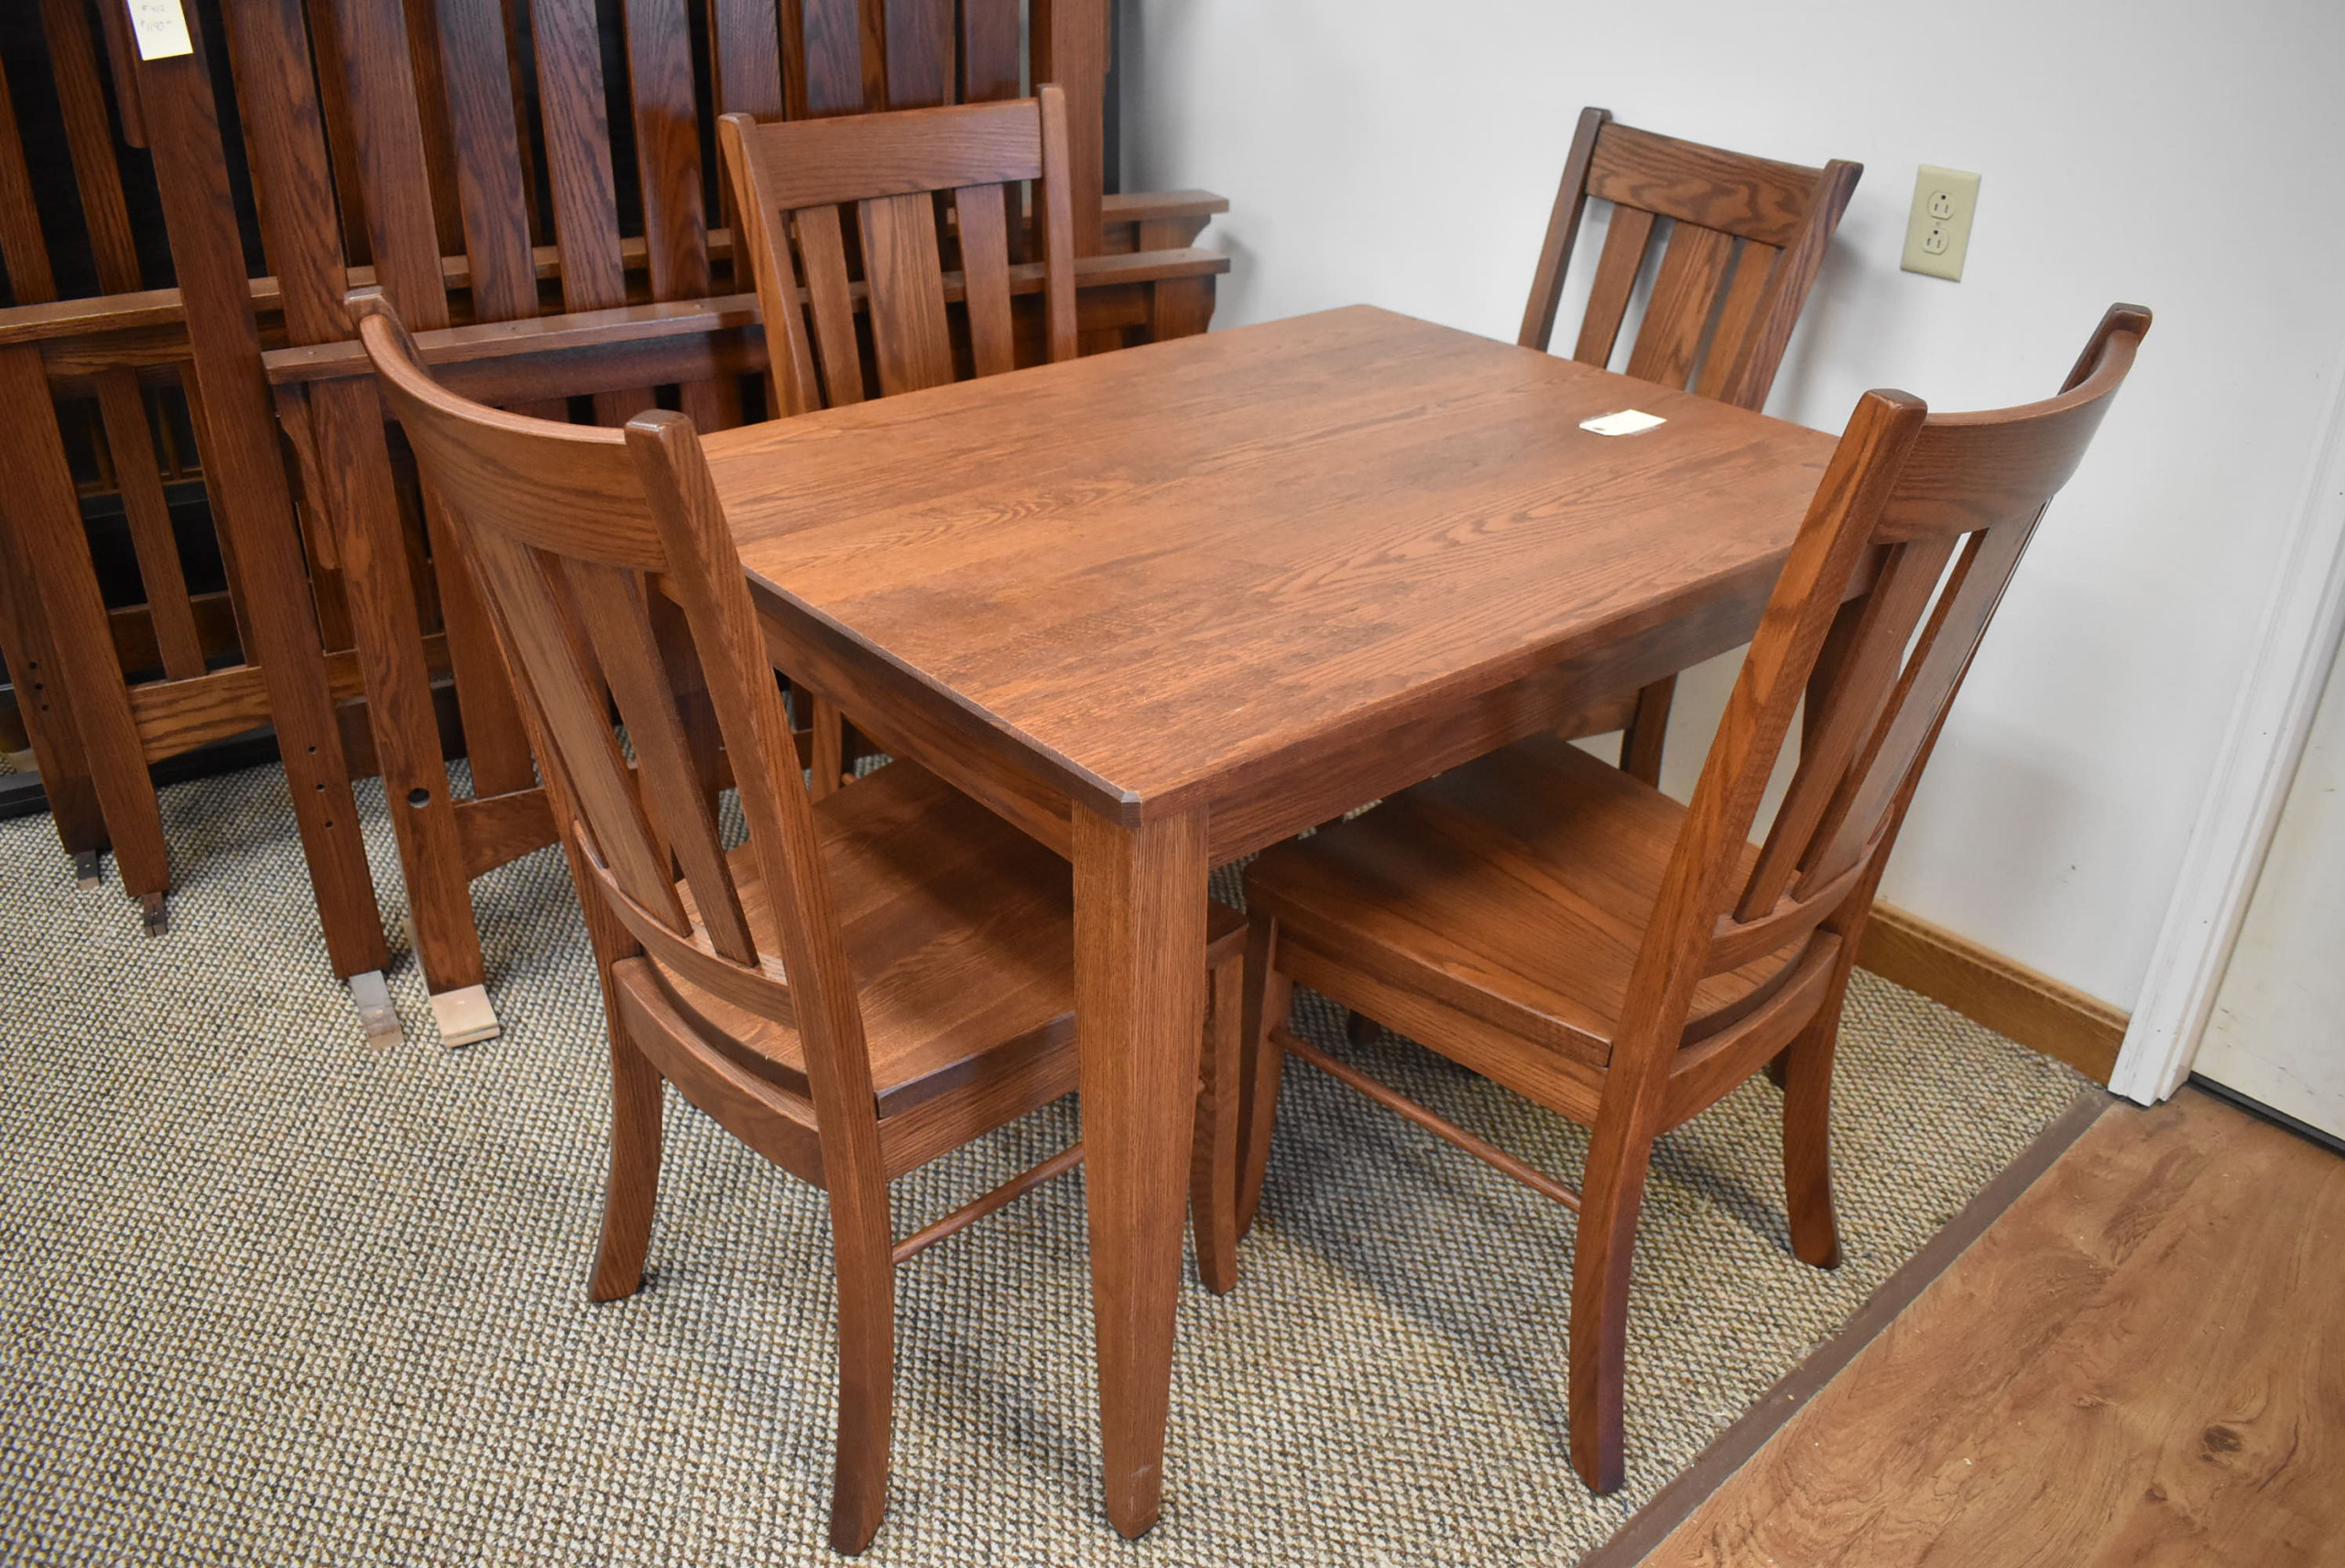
[{"x": 562, "y": 526}]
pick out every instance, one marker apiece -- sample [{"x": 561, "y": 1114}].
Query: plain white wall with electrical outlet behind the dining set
[{"x": 2170, "y": 154}]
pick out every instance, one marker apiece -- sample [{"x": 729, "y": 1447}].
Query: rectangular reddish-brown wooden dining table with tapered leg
[{"x": 1169, "y": 606}]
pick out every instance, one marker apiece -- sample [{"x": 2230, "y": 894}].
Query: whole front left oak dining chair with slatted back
[{"x": 864, "y": 986}]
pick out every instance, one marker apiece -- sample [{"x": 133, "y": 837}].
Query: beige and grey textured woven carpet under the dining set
[{"x": 276, "y": 1297}]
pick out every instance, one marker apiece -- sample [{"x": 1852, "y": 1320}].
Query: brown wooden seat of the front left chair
[{"x": 960, "y": 934}]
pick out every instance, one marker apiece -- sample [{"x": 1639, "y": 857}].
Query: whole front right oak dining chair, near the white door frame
[{"x": 1582, "y": 939}]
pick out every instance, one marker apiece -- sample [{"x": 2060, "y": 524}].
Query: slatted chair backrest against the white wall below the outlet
[{"x": 1746, "y": 238}]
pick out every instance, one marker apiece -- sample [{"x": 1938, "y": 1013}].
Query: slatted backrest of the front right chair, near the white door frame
[{"x": 1926, "y": 519}]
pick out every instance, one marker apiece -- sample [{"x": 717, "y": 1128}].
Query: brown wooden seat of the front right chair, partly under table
[{"x": 1514, "y": 889}]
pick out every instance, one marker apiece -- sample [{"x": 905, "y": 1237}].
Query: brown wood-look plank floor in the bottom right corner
[{"x": 2140, "y": 1363}]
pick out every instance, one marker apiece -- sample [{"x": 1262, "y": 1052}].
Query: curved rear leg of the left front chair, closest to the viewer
[{"x": 864, "y": 1253}]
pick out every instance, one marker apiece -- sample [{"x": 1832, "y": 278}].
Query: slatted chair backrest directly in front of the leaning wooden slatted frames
[{"x": 794, "y": 179}]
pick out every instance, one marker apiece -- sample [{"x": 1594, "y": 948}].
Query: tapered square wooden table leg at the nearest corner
[{"x": 1141, "y": 1014}]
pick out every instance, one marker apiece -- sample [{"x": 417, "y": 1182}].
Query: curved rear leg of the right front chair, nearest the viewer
[{"x": 1600, "y": 1269}]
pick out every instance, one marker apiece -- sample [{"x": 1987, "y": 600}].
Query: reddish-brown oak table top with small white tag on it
[{"x": 1169, "y": 568}]
